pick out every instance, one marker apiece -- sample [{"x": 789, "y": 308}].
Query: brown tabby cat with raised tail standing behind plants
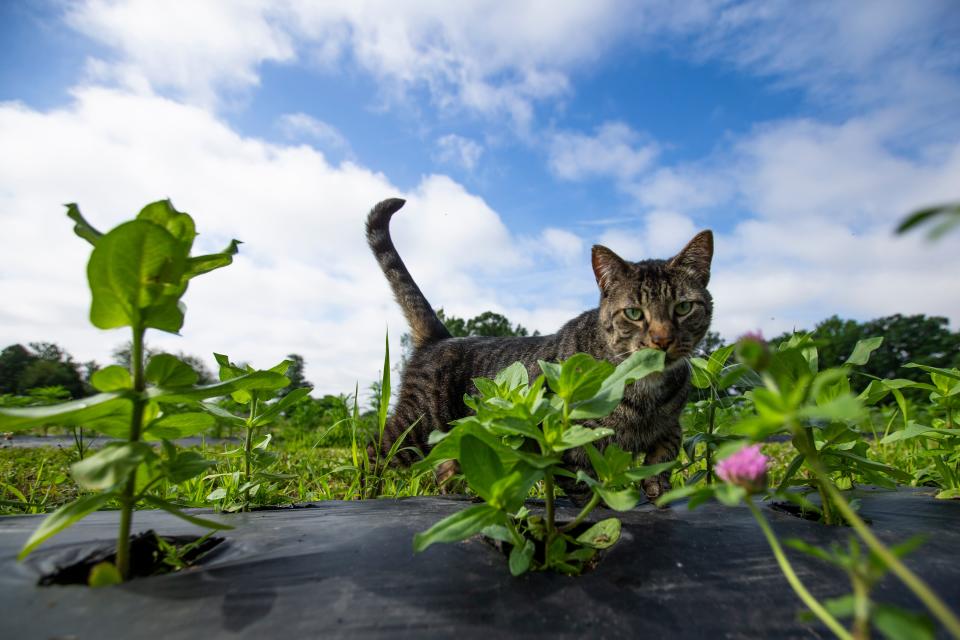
[{"x": 660, "y": 304}]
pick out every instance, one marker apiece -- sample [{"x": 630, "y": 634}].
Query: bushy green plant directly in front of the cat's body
[{"x": 518, "y": 436}]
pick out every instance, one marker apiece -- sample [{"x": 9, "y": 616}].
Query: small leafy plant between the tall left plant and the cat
[{"x": 263, "y": 408}]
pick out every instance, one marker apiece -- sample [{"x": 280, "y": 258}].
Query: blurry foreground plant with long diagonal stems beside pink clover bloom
[{"x": 818, "y": 410}]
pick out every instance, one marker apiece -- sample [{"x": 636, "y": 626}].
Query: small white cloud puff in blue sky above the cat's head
[{"x": 616, "y": 150}]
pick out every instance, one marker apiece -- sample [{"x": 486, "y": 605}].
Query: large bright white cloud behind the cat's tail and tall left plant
[{"x": 304, "y": 280}]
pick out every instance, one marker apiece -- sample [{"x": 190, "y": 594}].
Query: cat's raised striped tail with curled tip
[{"x": 425, "y": 326}]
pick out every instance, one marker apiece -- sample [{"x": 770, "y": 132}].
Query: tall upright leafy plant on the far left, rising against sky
[{"x": 137, "y": 274}]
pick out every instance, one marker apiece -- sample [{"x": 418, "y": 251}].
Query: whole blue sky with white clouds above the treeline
[{"x": 520, "y": 135}]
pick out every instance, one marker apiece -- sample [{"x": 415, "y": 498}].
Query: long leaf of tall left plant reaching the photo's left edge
[{"x": 86, "y": 412}]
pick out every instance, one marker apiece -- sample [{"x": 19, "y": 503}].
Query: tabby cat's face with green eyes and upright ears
[{"x": 656, "y": 304}]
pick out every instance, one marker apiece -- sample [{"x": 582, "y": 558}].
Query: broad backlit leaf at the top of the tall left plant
[{"x": 136, "y": 278}]
